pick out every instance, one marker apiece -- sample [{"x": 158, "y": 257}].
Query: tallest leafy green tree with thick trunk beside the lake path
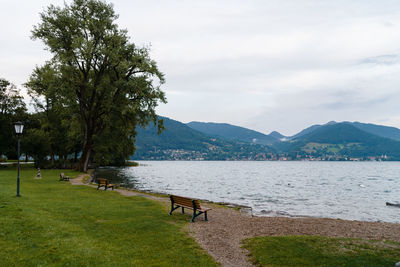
[{"x": 103, "y": 80}]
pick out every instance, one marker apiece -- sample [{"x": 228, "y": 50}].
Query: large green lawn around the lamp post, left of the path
[{"x": 57, "y": 224}]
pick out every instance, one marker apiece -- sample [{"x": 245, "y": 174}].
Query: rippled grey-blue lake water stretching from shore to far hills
[{"x": 346, "y": 190}]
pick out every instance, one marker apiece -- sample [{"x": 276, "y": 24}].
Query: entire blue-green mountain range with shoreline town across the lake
[{"x": 222, "y": 141}]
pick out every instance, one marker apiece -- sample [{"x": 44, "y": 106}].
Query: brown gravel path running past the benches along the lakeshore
[{"x": 225, "y": 229}]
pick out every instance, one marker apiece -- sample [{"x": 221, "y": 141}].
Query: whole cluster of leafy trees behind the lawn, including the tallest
[{"x": 93, "y": 93}]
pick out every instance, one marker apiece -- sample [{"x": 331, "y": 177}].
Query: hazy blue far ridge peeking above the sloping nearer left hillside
[{"x": 231, "y": 132}]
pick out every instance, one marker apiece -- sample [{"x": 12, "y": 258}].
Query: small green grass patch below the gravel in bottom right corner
[{"x": 321, "y": 251}]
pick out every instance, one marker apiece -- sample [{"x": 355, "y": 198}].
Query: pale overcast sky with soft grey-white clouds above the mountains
[{"x": 264, "y": 65}]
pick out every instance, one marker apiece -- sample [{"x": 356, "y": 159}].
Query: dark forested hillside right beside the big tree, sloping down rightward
[{"x": 180, "y": 142}]
